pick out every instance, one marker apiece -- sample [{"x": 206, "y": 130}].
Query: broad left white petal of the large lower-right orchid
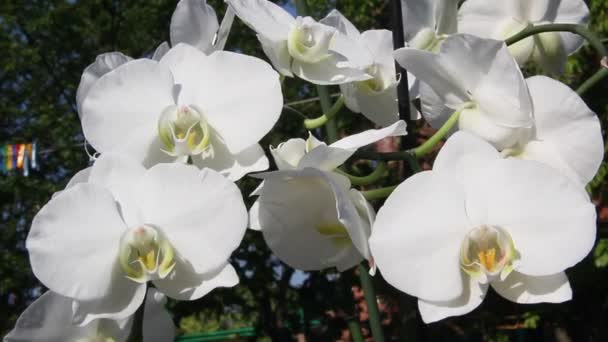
[{"x": 415, "y": 249}]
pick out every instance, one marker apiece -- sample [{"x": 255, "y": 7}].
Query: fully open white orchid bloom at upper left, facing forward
[{"x": 187, "y": 105}]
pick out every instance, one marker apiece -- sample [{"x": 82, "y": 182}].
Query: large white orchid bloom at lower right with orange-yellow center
[{"x": 478, "y": 220}]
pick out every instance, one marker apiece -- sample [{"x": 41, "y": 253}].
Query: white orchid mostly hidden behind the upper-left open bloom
[{"x": 193, "y": 22}]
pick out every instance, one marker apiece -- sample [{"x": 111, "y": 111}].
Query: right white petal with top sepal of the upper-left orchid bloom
[{"x": 215, "y": 85}]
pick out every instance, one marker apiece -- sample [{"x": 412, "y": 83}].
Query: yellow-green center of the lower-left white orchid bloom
[{"x": 145, "y": 254}]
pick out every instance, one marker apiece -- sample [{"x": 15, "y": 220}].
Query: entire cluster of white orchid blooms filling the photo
[{"x": 158, "y": 214}]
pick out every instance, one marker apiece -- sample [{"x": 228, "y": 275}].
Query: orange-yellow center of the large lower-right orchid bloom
[{"x": 487, "y": 252}]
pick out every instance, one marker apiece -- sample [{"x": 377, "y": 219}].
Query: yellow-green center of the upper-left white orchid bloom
[{"x": 183, "y": 131}]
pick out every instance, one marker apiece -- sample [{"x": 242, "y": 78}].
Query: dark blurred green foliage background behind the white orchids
[{"x": 44, "y": 47}]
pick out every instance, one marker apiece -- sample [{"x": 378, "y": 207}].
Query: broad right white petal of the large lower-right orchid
[{"x": 549, "y": 237}]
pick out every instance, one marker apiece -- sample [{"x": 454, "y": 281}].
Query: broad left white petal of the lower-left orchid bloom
[{"x": 74, "y": 240}]
